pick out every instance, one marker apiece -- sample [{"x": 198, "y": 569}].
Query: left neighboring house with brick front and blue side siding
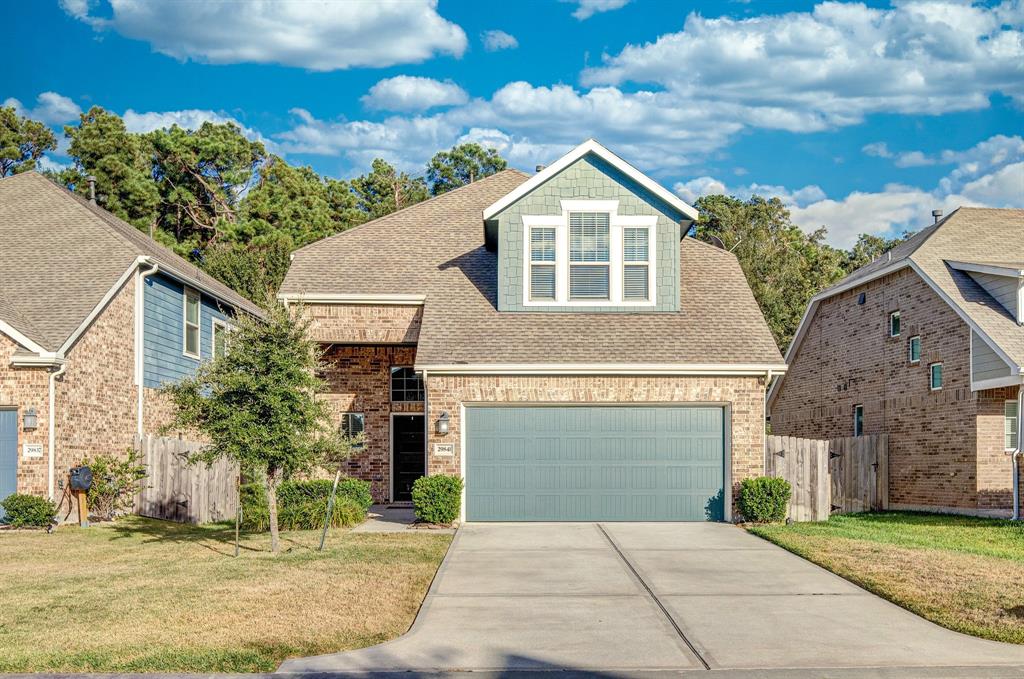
[{"x": 95, "y": 318}]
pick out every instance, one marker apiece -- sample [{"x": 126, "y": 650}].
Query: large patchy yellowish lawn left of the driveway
[{"x": 143, "y": 596}]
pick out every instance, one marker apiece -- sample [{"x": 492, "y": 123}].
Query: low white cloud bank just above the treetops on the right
[{"x": 992, "y": 174}]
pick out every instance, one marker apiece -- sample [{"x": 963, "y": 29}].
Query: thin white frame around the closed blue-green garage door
[{"x": 727, "y": 419}]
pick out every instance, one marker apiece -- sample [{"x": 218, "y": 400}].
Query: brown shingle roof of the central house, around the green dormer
[{"x": 437, "y": 248}]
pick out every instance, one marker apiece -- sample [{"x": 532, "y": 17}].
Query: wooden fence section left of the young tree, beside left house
[{"x": 181, "y": 492}]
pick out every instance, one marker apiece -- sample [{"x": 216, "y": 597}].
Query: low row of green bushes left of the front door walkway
[{"x": 303, "y": 505}]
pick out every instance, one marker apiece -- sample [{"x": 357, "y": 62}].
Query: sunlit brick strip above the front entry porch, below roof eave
[{"x": 365, "y": 324}]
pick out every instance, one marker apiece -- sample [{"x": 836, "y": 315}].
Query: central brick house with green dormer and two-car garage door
[{"x": 556, "y": 339}]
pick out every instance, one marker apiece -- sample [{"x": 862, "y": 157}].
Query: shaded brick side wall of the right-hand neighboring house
[{"x": 847, "y": 358}]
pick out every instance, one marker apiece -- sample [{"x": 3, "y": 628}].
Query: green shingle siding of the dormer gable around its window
[{"x": 588, "y": 179}]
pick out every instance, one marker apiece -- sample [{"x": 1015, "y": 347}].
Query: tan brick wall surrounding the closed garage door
[{"x": 745, "y": 395}]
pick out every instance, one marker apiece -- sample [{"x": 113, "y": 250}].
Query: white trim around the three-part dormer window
[{"x": 617, "y": 225}]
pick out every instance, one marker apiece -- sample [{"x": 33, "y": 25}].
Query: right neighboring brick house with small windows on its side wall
[{"x": 925, "y": 345}]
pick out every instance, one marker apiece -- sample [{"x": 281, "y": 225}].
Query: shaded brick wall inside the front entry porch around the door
[{"x": 359, "y": 380}]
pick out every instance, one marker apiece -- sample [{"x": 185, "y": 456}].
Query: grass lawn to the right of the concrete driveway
[{"x": 962, "y": 573}]
